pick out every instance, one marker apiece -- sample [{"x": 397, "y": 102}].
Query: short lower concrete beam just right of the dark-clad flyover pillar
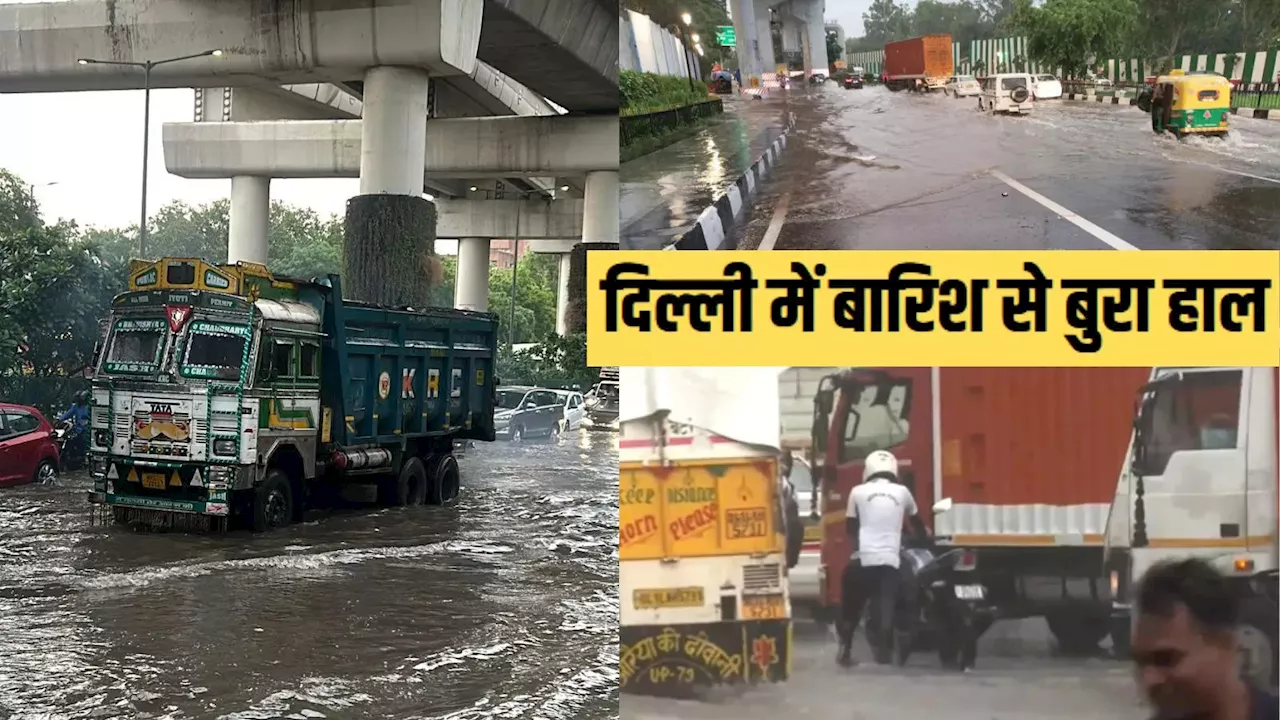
[{"x": 540, "y": 220}]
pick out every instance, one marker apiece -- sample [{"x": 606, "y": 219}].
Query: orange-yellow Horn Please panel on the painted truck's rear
[{"x": 698, "y": 511}]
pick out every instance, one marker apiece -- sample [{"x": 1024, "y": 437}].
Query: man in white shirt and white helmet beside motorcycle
[{"x": 875, "y": 525}]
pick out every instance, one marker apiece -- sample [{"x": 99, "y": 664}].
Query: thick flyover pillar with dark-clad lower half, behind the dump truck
[{"x": 390, "y": 226}]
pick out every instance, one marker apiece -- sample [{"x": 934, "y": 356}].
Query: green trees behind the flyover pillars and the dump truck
[{"x": 57, "y": 284}]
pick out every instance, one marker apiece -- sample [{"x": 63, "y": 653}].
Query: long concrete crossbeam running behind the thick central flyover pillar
[{"x": 473, "y": 148}]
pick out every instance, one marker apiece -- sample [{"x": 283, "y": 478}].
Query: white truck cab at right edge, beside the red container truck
[{"x": 1200, "y": 480}]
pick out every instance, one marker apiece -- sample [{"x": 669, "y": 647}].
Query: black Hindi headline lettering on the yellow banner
[{"x": 911, "y": 300}]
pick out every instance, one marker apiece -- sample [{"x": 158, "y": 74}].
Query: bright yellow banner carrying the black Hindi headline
[{"x": 952, "y": 308}]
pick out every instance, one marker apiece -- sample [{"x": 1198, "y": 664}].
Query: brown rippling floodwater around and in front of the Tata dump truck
[{"x": 504, "y": 607}]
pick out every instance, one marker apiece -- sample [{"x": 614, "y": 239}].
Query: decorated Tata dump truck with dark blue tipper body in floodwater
[{"x": 225, "y": 393}]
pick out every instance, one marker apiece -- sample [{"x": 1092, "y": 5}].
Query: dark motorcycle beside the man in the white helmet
[{"x": 941, "y": 605}]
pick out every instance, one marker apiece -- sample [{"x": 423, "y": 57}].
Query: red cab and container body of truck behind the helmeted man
[{"x": 1034, "y": 454}]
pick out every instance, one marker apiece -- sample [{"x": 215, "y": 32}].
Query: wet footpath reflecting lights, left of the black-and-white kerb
[{"x": 664, "y": 193}]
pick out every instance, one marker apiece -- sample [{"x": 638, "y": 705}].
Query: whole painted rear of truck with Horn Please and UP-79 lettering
[{"x": 703, "y": 580}]
